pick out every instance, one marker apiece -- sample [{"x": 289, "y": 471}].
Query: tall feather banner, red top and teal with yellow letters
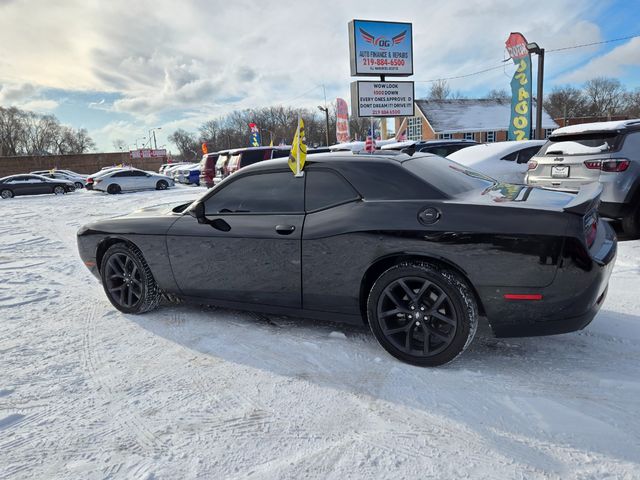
[{"x": 520, "y": 124}]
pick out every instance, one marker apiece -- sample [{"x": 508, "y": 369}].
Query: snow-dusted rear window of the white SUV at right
[{"x": 582, "y": 144}]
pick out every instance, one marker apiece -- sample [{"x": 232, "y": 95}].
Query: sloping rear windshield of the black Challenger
[{"x": 449, "y": 177}]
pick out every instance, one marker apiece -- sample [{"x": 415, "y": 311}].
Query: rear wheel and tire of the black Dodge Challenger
[{"x": 431, "y": 304}]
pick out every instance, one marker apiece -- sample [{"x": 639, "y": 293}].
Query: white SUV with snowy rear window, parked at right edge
[{"x": 605, "y": 152}]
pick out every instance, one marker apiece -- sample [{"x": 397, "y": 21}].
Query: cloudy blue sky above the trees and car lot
[{"x": 120, "y": 68}]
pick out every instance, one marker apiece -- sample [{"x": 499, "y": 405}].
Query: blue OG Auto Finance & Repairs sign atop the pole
[{"x": 381, "y": 48}]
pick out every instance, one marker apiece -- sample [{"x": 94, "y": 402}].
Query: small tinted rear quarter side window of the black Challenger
[{"x": 326, "y": 188}]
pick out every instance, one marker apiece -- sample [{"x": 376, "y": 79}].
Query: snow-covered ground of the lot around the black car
[{"x": 193, "y": 392}]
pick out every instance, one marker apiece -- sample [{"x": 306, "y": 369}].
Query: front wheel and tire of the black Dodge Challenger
[{"x": 127, "y": 280}]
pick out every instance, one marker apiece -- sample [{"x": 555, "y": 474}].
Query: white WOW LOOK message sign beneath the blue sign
[{"x": 382, "y": 99}]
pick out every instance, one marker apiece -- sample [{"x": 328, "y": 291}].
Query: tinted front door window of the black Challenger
[{"x": 270, "y": 192}]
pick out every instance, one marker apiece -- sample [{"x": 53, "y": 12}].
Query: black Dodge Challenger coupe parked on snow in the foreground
[{"x": 416, "y": 246}]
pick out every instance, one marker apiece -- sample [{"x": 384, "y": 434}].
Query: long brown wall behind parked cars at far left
[{"x": 85, "y": 163}]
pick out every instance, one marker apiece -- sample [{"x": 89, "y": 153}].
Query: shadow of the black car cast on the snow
[{"x": 516, "y": 393}]
